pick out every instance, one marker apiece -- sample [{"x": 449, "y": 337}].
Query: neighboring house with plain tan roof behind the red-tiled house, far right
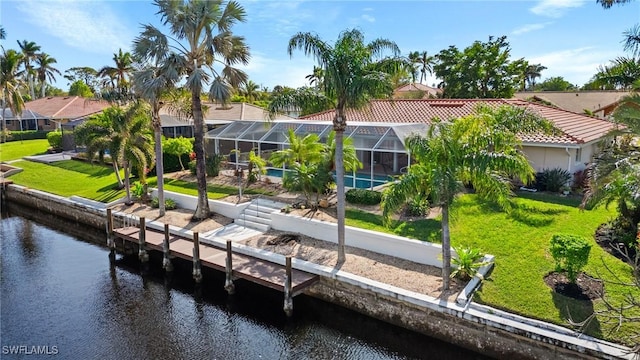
[{"x": 599, "y": 103}]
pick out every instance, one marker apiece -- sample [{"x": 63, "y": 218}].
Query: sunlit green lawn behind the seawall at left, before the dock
[{"x": 70, "y": 177}]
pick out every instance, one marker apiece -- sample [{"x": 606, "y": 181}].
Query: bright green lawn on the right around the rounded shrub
[{"x": 520, "y": 242}]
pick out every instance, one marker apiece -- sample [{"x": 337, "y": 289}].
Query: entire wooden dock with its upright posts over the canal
[{"x": 272, "y": 275}]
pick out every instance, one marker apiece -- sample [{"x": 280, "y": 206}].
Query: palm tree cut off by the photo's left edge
[{"x": 10, "y": 84}]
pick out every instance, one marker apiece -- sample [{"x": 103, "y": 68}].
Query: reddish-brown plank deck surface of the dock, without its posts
[{"x": 259, "y": 271}]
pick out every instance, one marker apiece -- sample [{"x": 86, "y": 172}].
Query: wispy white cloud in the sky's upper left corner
[{"x": 86, "y": 25}]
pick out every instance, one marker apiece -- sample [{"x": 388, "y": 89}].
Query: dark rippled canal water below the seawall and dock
[{"x": 62, "y": 295}]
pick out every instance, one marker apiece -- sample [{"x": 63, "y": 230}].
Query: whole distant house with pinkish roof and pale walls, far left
[{"x": 50, "y": 113}]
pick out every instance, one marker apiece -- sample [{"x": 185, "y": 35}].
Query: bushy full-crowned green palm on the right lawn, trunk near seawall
[{"x": 481, "y": 149}]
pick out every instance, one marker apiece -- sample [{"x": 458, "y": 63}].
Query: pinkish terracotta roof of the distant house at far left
[{"x": 67, "y": 107}]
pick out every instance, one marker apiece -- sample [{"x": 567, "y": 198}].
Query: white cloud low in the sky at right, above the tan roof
[{"x": 576, "y": 65}]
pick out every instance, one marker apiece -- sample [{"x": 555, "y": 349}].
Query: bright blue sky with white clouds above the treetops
[{"x": 570, "y": 37}]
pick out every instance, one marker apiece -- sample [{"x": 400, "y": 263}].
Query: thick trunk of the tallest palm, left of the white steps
[{"x": 202, "y": 209}]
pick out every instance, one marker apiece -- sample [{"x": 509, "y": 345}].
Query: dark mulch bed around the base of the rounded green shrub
[{"x": 586, "y": 288}]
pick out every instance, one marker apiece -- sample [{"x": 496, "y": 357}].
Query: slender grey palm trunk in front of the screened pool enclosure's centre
[{"x": 339, "y": 127}]
